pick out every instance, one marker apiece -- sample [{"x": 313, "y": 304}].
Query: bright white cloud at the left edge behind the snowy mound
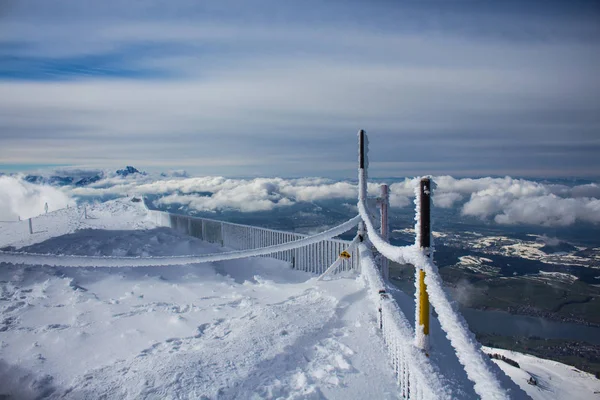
[{"x": 22, "y": 199}]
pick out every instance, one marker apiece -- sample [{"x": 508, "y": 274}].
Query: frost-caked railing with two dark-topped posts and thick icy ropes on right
[{"x": 417, "y": 378}]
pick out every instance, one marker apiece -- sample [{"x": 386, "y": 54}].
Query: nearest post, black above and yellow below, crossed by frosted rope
[{"x": 422, "y": 330}]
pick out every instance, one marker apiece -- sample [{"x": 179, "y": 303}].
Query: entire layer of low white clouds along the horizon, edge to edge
[{"x": 506, "y": 201}]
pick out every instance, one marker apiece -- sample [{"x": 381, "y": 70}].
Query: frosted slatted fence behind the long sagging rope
[{"x": 313, "y": 257}]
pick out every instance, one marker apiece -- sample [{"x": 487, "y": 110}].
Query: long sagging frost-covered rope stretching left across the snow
[{"x": 93, "y": 261}]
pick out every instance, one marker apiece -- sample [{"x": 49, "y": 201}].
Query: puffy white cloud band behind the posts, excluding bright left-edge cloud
[{"x": 503, "y": 200}]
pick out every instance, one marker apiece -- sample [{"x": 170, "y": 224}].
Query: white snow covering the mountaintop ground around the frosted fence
[{"x": 241, "y": 329}]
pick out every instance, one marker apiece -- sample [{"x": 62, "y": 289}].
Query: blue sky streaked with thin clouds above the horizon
[{"x": 274, "y": 88}]
